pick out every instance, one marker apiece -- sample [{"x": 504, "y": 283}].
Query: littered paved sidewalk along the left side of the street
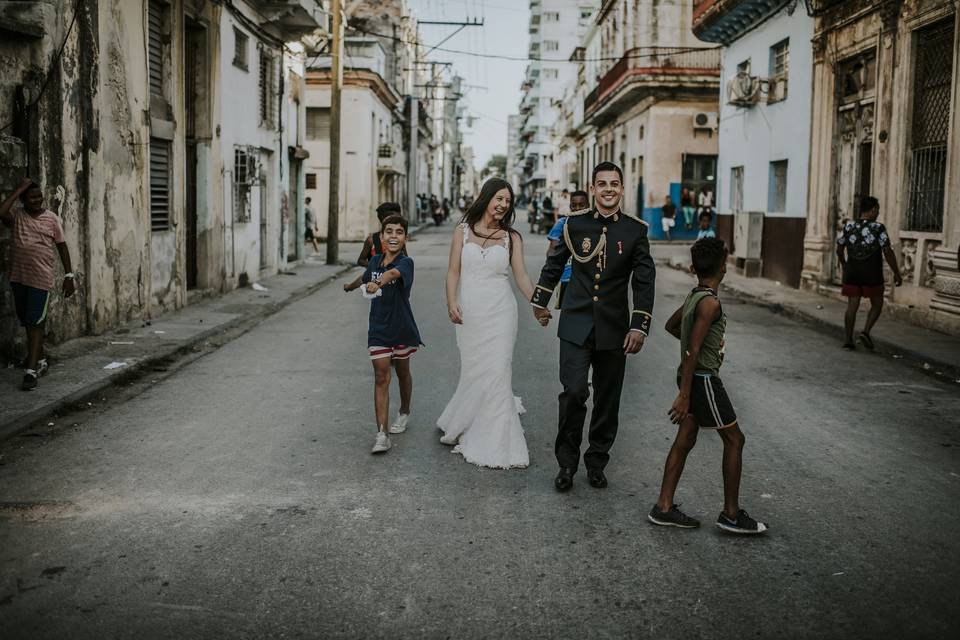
[{"x": 83, "y": 368}]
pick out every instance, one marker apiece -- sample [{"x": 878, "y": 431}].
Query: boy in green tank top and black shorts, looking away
[{"x": 702, "y": 402}]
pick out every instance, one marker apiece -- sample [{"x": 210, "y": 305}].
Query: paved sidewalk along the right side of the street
[{"x": 930, "y": 351}]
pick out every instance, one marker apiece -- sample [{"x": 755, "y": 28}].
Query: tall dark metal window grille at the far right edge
[{"x": 931, "y": 123}]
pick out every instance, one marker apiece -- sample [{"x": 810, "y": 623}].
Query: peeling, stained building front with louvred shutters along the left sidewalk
[{"x": 124, "y": 110}]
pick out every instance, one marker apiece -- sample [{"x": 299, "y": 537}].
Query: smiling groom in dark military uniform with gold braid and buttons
[{"x": 597, "y": 326}]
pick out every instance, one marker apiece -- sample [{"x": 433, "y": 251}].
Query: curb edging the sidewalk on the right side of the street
[{"x": 939, "y": 369}]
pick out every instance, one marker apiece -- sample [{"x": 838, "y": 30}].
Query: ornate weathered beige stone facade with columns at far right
[{"x": 885, "y": 94}]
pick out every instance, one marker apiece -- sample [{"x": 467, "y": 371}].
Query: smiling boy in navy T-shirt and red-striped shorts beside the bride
[{"x": 392, "y": 336}]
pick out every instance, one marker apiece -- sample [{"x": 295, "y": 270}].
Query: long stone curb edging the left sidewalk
[{"x": 162, "y": 356}]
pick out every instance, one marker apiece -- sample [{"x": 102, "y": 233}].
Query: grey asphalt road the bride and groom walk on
[{"x": 238, "y": 498}]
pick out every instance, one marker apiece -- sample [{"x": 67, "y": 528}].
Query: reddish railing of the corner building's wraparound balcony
[{"x": 657, "y": 63}]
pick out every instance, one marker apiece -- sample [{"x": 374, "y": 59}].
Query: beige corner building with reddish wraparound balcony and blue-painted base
[{"x": 650, "y": 104}]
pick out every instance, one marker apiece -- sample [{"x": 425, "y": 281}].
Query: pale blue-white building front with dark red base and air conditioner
[{"x": 764, "y": 130}]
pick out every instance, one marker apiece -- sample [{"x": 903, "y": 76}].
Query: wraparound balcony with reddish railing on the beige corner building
[{"x": 642, "y": 71}]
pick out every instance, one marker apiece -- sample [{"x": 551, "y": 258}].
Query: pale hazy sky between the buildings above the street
[{"x": 494, "y": 91}]
